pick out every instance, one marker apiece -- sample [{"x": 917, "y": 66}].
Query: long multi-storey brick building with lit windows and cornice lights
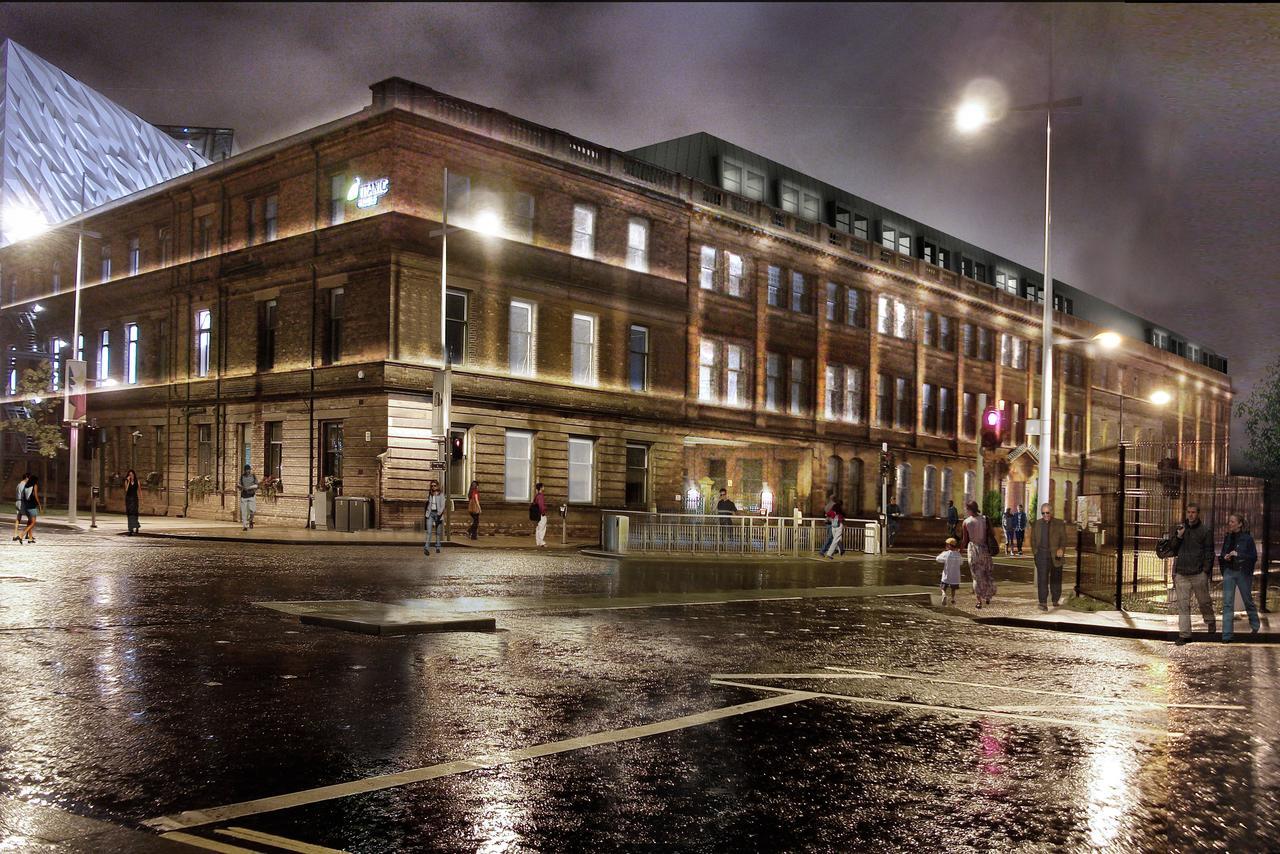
[{"x": 633, "y": 330}]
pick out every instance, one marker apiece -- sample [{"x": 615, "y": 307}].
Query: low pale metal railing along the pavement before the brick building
[{"x": 761, "y": 536}]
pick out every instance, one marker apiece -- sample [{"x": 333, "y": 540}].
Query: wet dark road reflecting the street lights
[{"x": 140, "y": 682}]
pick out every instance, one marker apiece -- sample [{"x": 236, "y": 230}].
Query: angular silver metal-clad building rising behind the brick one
[{"x": 60, "y": 138}]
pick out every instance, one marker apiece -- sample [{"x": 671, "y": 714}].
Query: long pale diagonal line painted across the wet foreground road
[{"x": 200, "y": 818}]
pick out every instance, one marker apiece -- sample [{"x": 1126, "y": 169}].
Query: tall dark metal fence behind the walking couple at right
[{"x": 1135, "y": 495}]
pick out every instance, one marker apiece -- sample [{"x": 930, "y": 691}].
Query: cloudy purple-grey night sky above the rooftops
[{"x": 1167, "y": 182}]
